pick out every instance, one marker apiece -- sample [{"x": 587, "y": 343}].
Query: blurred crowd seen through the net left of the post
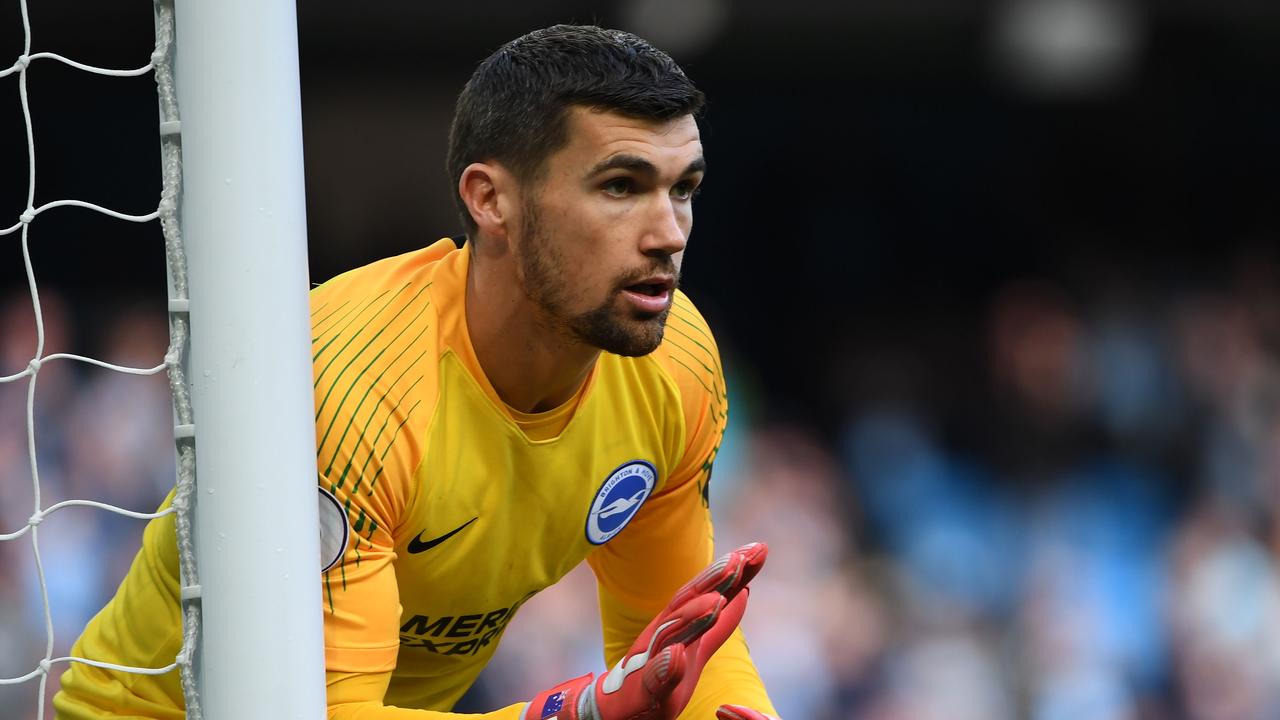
[{"x": 99, "y": 435}]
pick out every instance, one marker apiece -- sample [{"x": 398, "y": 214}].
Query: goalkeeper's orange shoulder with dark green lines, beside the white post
[{"x": 374, "y": 359}]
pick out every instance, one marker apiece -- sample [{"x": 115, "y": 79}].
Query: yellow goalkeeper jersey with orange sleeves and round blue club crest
[{"x": 460, "y": 509}]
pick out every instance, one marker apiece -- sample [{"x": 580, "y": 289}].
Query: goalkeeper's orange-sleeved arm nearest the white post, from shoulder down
[{"x": 376, "y": 385}]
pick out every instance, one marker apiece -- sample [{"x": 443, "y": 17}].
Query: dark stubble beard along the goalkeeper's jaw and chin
[{"x": 546, "y": 277}]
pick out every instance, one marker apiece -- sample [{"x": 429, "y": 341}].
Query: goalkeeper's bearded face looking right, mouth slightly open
[{"x": 602, "y": 234}]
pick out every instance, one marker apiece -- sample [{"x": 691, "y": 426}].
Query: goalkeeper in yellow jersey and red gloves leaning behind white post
[{"x": 491, "y": 416}]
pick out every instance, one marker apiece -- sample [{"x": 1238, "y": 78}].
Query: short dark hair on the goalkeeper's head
[{"x": 515, "y": 107}]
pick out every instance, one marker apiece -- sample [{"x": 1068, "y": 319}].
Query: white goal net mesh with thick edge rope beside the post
[{"x": 172, "y": 363}]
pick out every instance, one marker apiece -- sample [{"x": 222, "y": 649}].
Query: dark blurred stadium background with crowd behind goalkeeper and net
[{"x": 996, "y": 288}]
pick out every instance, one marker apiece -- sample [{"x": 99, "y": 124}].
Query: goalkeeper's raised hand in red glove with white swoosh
[{"x": 657, "y": 676}]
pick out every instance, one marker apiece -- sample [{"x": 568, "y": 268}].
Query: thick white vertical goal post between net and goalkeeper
[{"x": 244, "y": 220}]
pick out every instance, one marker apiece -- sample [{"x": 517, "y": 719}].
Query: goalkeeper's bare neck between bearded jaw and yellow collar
[{"x": 533, "y": 367}]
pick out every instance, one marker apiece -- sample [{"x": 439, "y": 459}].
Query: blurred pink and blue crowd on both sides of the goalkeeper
[{"x": 1081, "y": 527}]
